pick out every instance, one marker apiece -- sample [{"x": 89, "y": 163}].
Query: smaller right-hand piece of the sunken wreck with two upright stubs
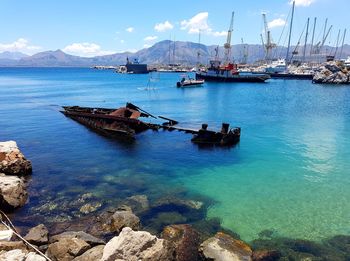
[{"x": 225, "y": 137}]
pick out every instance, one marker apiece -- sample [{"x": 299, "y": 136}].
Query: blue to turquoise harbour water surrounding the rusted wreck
[{"x": 289, "y": 173}]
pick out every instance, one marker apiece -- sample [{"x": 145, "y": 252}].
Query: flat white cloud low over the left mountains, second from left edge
[{"x": 85, "y": 49}]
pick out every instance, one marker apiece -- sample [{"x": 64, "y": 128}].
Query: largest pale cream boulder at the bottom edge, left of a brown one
[{"x": 137, "y": 245}]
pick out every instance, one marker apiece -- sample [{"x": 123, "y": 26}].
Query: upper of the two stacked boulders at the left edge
[{"x": 12, "y": 161}]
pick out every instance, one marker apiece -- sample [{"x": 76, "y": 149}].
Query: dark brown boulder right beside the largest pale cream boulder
[{"x": 185, "y": 241}]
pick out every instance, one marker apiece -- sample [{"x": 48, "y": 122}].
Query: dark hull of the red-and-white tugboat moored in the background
[{"x": 237, "y": 78}]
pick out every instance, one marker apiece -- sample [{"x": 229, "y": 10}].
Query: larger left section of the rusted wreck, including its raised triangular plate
[{"x": 123, "y": 121}]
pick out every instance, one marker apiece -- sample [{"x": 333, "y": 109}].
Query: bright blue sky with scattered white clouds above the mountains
[{"x": 88, "y": 28}]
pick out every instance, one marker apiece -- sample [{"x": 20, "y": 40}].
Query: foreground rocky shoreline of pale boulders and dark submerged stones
[{"x": 123, "y": 233}]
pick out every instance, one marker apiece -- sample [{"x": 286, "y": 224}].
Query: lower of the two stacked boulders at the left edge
[{"x": 12, "y": 192}]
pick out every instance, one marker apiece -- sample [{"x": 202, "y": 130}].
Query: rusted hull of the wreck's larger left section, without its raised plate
[{"x": 99, "y": 120}]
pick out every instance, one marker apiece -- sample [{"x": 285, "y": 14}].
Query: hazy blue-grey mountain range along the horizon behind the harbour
[{"x": 164, "y": 52}]
